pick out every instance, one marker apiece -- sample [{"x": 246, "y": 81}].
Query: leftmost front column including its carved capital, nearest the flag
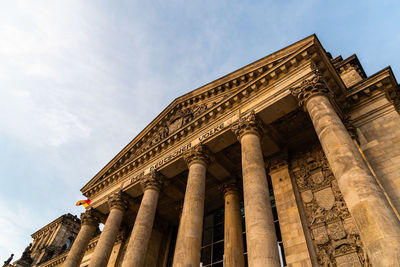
[{"x": 89, "y": 224}]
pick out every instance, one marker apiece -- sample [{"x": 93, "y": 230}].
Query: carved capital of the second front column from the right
[{"x": 248, "y": 123}]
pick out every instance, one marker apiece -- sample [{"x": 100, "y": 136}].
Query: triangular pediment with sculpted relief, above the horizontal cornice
[{"x": 186, "y": 108}]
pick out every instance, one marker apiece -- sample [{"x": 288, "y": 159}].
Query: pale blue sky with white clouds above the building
[{"x": 79, "y": 79}]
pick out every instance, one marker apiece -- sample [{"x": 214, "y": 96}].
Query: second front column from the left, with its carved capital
[{"x": 101, "y": 254}]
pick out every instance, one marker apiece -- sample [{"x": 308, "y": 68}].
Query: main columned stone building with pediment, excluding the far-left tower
[{"x": 293, "y": 160}]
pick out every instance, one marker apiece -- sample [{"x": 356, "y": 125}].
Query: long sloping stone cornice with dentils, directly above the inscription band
[{"x": 248, "y": 89}]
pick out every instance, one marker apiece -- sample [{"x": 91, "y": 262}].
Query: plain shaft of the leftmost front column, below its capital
[{"x": 79, "y": 246}]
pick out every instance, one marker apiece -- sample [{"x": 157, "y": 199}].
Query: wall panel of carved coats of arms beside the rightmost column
[{"x": 333, "y": 231}]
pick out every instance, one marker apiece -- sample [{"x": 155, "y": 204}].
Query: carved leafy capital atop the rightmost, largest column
[{"x": 310, "y": 87}]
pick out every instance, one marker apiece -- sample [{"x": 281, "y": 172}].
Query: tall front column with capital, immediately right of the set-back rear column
[{"x": 262, "y": 246}]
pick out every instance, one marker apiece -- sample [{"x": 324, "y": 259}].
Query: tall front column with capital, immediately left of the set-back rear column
[{"x": 188, "y": 242}]
